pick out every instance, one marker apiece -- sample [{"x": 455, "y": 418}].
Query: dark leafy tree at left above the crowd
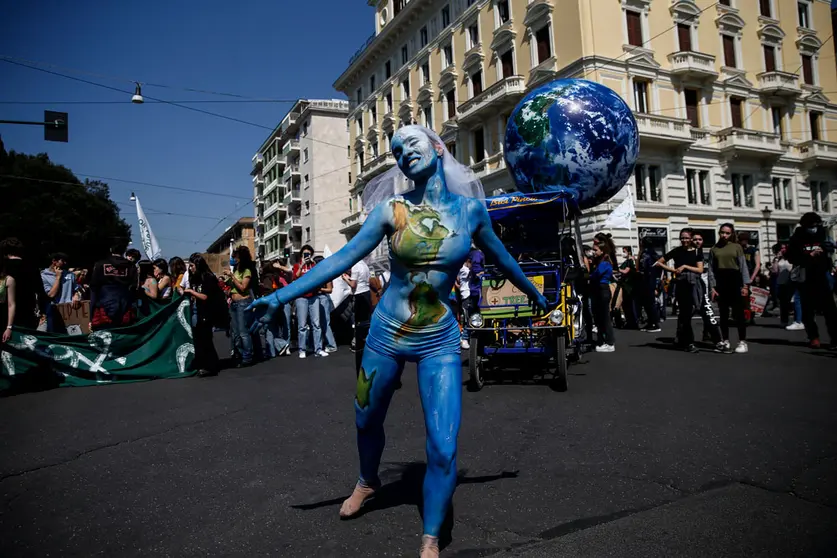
[{"x": 50, "y": 210}]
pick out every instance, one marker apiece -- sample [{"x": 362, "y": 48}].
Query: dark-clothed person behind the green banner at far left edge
[{"x": 31, "y": 301}]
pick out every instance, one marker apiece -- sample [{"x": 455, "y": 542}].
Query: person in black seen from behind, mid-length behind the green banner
[{"x": 113, "y": 288}]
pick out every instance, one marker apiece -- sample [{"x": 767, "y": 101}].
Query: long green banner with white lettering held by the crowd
[{"x": 159, "y": 346}]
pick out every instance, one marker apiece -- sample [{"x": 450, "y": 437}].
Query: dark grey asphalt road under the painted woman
[{"x": 651, "y": 452}]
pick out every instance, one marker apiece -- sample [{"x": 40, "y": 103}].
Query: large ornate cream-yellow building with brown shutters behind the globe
[{"x": 734, "y": 99}]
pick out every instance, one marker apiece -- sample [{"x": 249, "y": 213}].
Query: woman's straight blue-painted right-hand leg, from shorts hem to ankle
[{"x": 440, "y": 387}]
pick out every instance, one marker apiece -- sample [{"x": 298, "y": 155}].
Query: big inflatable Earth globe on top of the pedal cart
[{"x": 574, "y": 136}]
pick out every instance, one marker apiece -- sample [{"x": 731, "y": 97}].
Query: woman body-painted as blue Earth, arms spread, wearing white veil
[{"x": 429, "y": 223}]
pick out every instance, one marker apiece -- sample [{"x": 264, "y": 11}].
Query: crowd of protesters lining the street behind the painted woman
[{"x": 727, "y": 286}]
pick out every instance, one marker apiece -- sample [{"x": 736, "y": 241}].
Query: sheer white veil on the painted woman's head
[{"x": 459, "y": 178}]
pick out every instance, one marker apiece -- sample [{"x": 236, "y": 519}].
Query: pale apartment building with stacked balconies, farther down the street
[{"x": 300, "y": 180}]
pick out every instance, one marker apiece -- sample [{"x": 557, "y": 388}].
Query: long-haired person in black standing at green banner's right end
[{"x": 209, "y": 309}]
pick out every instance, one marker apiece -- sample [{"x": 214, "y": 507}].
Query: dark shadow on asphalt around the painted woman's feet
[{"x": 407, "y": 491}]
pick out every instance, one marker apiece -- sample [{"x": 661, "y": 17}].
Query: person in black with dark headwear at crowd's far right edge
[{"x": 810, "y": 249}]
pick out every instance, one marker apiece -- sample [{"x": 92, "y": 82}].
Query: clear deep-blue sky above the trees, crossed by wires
[{"x": 279, "y": 50}]
